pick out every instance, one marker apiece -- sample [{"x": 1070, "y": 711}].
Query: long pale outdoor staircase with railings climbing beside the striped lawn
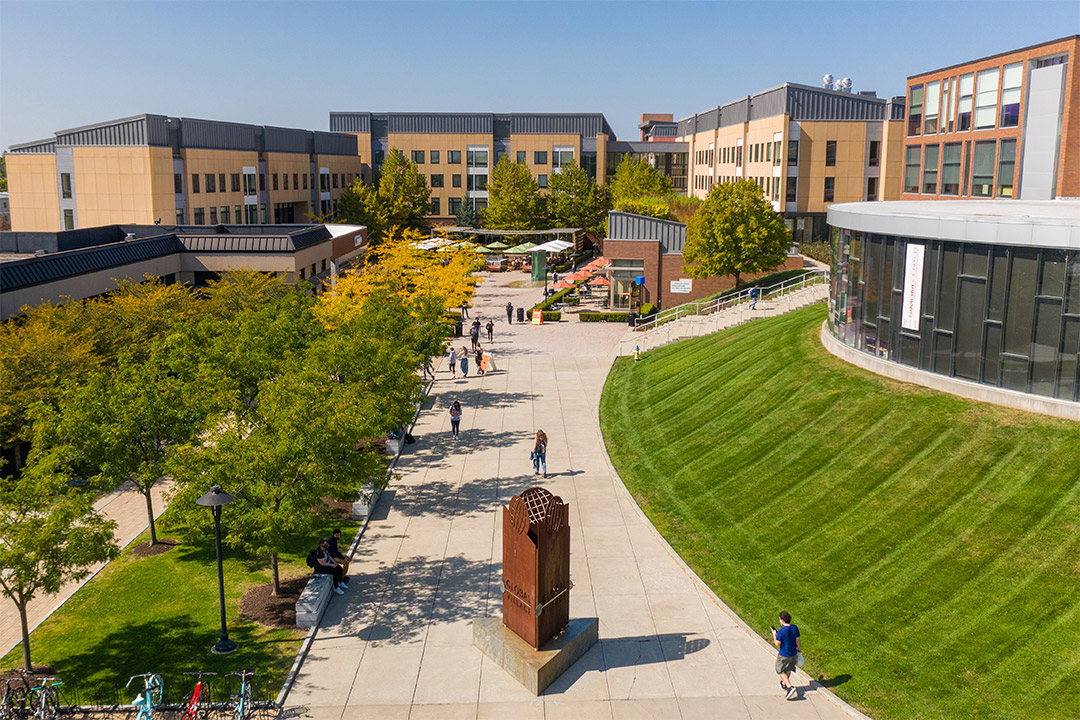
[{"x": 726, "y": 313}]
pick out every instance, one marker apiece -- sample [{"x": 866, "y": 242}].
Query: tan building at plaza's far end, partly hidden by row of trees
[{"x": 457, "y": 152}]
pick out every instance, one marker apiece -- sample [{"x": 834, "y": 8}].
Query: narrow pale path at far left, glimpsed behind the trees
[{"x": 127, "y": 507}]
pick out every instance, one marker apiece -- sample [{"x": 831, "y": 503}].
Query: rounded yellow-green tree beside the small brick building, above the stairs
[{"x": 735, "y": 233}]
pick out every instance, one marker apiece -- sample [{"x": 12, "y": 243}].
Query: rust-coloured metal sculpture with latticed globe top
[{"x": 536, "y": 566}]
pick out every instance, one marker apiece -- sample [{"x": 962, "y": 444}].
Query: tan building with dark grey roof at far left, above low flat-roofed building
[{"x": 153, "y": 169}]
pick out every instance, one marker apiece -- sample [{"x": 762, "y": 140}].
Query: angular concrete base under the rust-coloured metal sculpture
[{"x": 536, "y": 670}]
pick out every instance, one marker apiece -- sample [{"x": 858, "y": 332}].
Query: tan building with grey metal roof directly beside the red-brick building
[{"x": 806, "y": 147}]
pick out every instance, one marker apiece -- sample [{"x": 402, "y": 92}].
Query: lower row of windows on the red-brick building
[{"x": 962, "y": 169}]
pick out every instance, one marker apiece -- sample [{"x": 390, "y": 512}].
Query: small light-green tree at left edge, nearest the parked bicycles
[{"x": 50, "y": 535}]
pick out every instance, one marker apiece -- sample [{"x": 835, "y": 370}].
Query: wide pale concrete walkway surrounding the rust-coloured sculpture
[{"x": 399, "y": 644}]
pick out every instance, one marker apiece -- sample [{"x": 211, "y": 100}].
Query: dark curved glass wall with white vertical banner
[{"x": 994, "y": 315}]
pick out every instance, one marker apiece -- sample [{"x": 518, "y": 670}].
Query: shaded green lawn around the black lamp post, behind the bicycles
[{"x": 161, "y": 615}]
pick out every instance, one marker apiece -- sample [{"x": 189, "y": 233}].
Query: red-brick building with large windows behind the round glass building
[{"x": 1002, "y": 127}]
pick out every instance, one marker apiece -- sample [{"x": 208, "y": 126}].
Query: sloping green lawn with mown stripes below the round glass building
[{"x": 928, "y": 547}]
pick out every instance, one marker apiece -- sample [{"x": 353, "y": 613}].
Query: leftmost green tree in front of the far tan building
[{"x": 400, "y": 199}]
